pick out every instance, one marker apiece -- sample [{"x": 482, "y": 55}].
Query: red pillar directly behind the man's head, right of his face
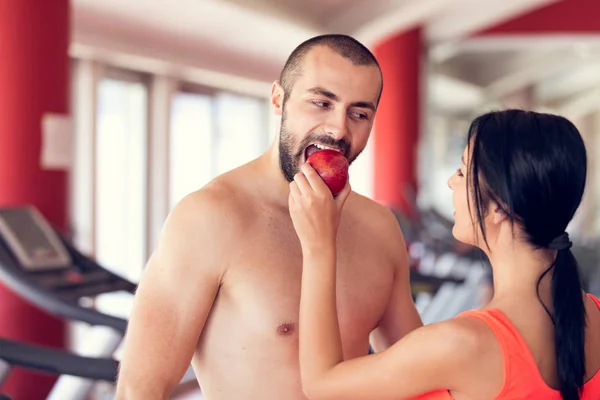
[{"x": 396, "y": 130}]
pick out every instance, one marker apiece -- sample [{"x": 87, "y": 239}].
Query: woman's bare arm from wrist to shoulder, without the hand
[{"x": 434, "y": 357}]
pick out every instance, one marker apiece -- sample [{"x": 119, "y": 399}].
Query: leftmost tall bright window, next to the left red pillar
[{"x": 120, "y": 192}]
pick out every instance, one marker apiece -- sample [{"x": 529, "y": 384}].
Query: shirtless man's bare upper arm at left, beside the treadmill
[{"x": 174, "y": 297}]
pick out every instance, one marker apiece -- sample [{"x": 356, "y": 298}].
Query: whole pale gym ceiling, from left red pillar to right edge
[{"x": 244, "y": 43}]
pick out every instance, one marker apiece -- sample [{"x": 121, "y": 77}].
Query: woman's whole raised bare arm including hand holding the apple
[{"x": 428, "y": 359}]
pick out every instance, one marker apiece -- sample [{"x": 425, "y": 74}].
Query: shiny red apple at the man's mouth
[{"x": 332, "y": 167}]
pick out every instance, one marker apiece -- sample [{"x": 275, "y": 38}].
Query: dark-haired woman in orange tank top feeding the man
[{"x": 521, "y": 179}]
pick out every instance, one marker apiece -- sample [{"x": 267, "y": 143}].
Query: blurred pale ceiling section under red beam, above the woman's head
[{"x": 555, "y": 75}]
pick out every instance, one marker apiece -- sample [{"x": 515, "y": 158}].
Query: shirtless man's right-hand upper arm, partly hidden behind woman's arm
[{"x": 401, "y": 315}]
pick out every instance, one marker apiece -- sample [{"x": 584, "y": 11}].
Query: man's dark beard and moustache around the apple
[{"x": 289, "y": 159}]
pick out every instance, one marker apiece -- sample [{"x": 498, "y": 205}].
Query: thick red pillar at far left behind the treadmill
[{"x": 34, "y": 80}]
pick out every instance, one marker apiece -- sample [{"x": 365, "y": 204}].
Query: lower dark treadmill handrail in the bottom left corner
[{"x": 59, "y": 362}]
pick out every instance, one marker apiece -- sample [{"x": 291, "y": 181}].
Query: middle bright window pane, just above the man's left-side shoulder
[{"x": 190, "y": 144}]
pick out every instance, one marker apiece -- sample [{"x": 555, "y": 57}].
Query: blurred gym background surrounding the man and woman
[{"x": 112, "y": 111}]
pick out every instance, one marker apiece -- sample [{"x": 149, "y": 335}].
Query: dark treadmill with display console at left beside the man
[{"x": 38, "y": 264}]
